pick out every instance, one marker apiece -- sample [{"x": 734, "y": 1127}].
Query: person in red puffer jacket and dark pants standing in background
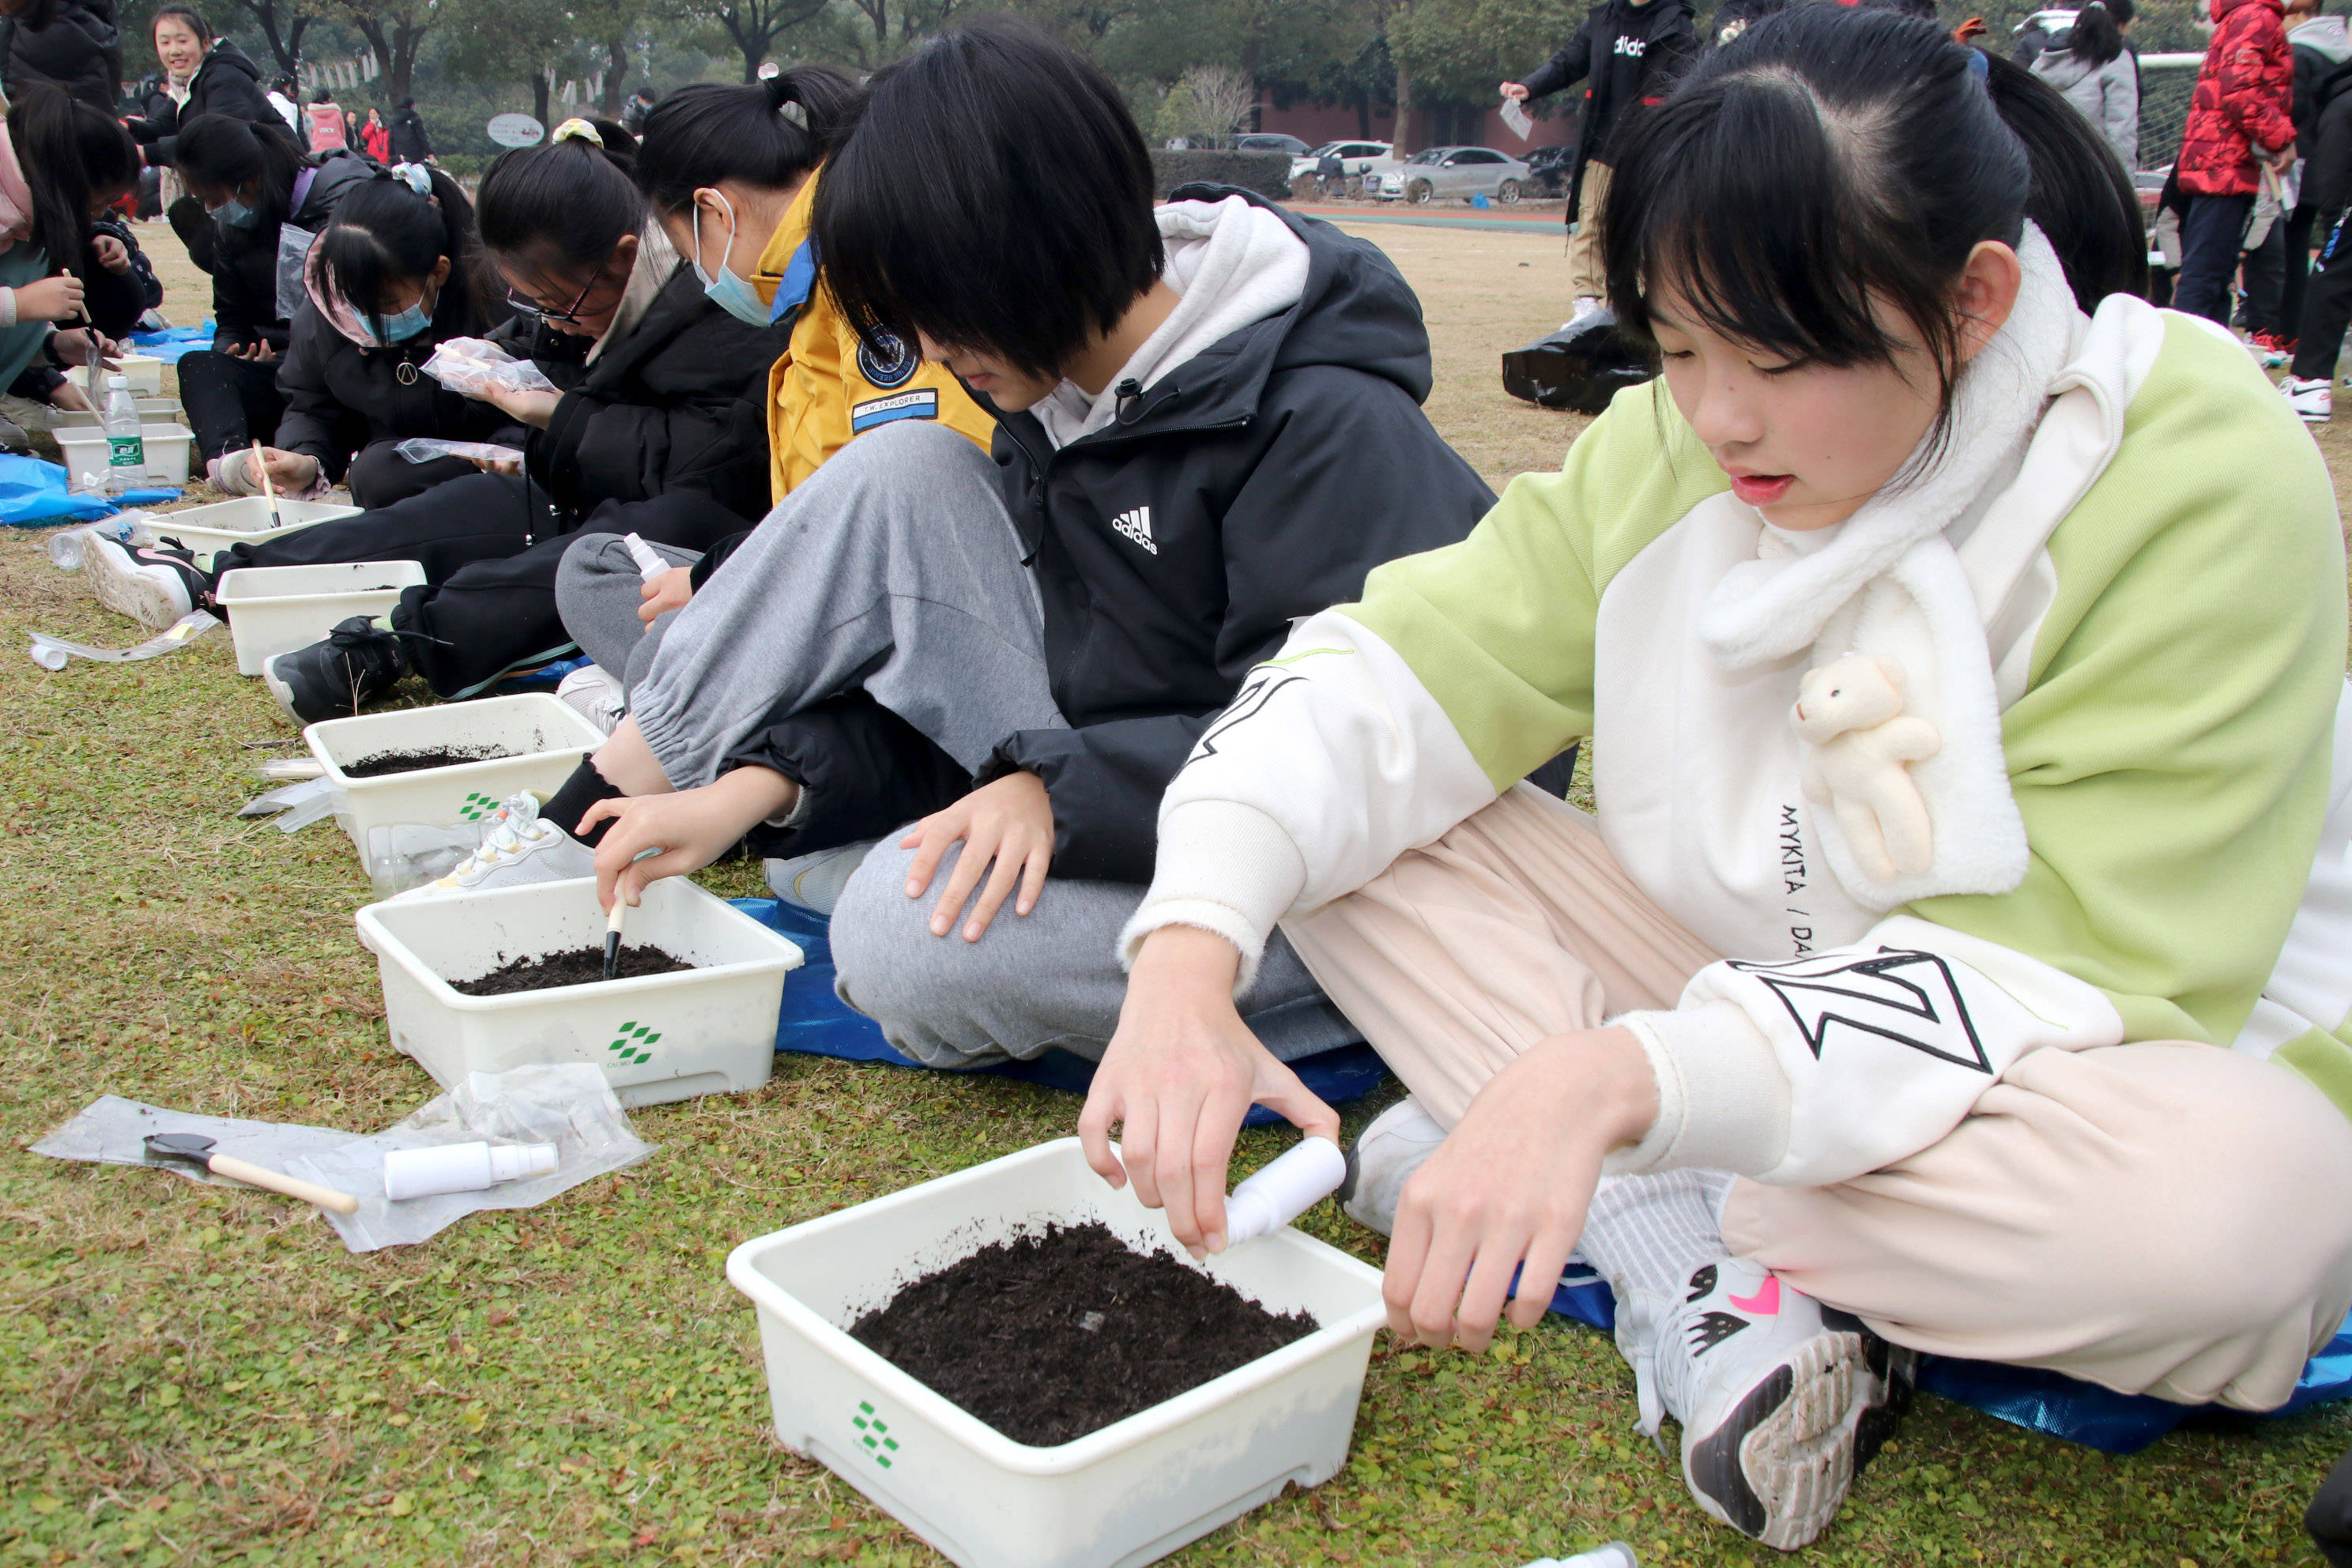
[{"x": 2238, "y": 128}]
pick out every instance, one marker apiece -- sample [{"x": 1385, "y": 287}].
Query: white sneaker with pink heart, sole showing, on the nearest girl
[{"x": 1782, "y": 1400}]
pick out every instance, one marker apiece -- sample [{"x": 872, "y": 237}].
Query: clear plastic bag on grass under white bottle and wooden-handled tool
[{"x": 566, "y": 1104}]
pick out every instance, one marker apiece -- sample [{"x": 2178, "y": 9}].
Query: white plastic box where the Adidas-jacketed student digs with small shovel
[{"x": 657, "y": 1038}]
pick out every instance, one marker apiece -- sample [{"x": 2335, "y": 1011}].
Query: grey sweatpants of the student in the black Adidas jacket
[{"x": 897, "y": 570}]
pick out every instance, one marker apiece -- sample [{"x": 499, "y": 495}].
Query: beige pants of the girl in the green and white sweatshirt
[{"x": 2158, "y": 1219}]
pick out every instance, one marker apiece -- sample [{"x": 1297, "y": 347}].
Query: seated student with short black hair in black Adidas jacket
[{"x": 1210, "y": 427}]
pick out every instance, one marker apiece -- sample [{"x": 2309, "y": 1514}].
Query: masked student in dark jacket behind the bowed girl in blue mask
[{"x": 255, "y": 201}]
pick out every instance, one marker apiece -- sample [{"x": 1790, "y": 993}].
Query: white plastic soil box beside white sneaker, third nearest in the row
[{"x": 544, "y": 735}]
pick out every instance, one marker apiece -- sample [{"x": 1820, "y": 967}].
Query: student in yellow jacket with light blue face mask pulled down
[{"x": 733, "y": 175}]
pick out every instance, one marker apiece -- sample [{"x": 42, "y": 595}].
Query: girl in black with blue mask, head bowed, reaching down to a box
[{"x": 352, "y": 377}]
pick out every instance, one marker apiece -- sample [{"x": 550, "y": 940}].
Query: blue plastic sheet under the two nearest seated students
[{"x": 817, "y": 1024}]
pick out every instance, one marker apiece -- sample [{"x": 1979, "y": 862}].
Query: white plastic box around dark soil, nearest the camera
[{"x": 1114, "y": 1499}]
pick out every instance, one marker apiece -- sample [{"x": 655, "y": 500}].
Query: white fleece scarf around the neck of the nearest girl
[{"x": 1892, "y": 584}]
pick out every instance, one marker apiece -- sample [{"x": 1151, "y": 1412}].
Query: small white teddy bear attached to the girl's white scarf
[{"x": 1852, "y": 716}]
